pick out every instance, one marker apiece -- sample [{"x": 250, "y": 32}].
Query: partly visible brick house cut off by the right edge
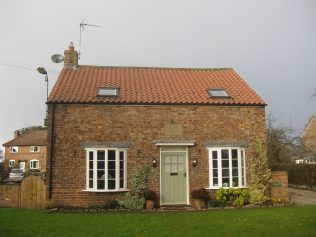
[{"x": 309, "y": 141}]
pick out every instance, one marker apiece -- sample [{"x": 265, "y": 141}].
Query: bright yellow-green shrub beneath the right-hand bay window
[{"x": 232, "y": 197}]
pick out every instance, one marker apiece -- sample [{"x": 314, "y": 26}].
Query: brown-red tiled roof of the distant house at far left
[{"x": 31, "y": 138}]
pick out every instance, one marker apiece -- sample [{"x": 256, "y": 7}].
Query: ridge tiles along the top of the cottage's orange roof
[{"x": 166, "y": 68}]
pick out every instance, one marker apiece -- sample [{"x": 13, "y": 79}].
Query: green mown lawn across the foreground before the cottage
[{"x": 268, "y": 222}]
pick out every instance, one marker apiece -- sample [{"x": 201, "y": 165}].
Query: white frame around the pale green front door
[{"x": 187, "y": 172}]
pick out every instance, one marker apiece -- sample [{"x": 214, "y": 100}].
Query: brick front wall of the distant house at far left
[{"x": 24, "y": 154}]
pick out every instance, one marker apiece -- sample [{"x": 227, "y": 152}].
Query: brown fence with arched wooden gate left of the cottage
[{"x": 30, "y": 193}]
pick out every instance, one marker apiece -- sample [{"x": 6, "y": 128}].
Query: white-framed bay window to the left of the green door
[{"x": 106, "y": 170}]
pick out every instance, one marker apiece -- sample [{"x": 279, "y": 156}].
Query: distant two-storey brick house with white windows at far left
[{"x": 26, "y": 151}]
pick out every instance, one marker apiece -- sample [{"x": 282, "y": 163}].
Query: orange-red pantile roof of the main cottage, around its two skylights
[{"x": 139, "y": 85}]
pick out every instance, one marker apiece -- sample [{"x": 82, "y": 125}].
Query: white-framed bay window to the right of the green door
[{"x": 227, "y": 167}]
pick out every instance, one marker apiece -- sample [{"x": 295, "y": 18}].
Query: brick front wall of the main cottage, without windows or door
[{"x": 74, "y": 124}]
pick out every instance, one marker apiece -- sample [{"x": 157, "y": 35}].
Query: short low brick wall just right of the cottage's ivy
[{"x": 279, "y": 185}]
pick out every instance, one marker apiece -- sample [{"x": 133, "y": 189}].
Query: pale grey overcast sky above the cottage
[{"x": 270, "y": 43}]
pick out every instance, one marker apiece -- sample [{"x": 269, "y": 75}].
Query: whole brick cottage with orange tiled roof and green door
[{"x": 193, "y": 127}]
